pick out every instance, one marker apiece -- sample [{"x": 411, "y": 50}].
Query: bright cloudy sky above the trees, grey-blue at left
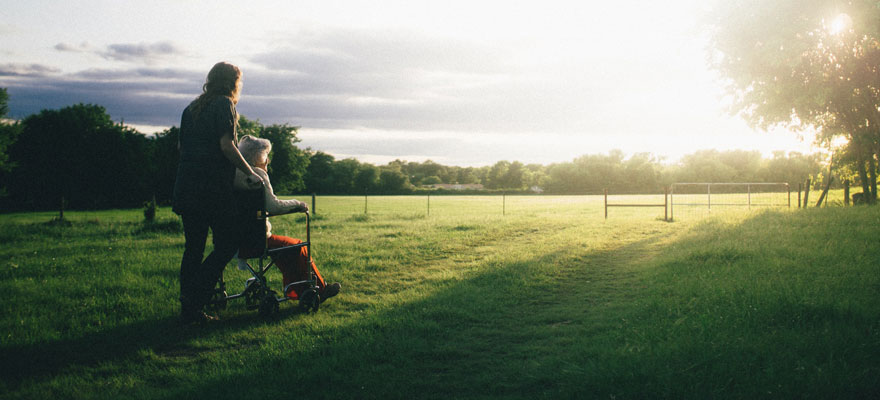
[{"x": 465, "y": 83}]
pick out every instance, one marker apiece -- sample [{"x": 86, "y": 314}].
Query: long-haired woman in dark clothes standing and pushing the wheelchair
[{"x": 203, "y": 189}]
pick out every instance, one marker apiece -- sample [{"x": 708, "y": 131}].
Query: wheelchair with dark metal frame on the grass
[{"x": 251, "y": 215}]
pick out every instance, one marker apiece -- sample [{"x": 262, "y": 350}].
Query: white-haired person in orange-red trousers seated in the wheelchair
[{"x": 295, "y": 265}]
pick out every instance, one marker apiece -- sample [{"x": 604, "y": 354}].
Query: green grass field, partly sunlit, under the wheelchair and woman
[{"x": 540, "y": 297}]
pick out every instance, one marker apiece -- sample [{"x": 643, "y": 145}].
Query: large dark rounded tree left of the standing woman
[{"x": 79, "y": 155}]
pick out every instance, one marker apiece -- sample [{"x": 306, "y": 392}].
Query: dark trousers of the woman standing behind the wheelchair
[{"x": 197, "y": 276}]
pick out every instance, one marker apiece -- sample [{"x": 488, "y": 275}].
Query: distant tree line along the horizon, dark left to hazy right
[{"x": 79, "y": 156}]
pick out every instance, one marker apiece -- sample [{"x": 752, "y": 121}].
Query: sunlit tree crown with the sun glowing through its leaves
[{"x": 805, "y": 64}]
